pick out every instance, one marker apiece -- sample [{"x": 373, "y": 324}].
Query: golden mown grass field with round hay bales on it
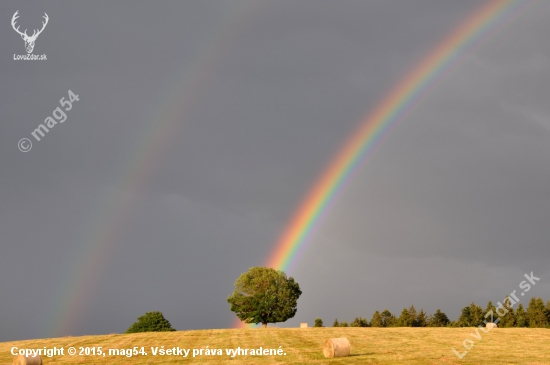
[{"x": 304, "y": 346}]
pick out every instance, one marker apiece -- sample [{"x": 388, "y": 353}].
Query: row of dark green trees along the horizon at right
[{"x": 537, "y": 315}]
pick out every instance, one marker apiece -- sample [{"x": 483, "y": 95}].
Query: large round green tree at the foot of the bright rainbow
[{"x": 264, "y": 295}]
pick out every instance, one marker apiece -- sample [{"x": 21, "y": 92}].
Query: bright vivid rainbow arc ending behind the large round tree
[{"x": 393, "y": 109}]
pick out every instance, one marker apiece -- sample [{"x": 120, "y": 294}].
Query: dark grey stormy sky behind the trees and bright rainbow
[{"x": 202, "y": 124}]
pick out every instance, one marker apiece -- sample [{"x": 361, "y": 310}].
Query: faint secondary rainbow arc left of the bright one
[{"x": 78, "y": 282}]
